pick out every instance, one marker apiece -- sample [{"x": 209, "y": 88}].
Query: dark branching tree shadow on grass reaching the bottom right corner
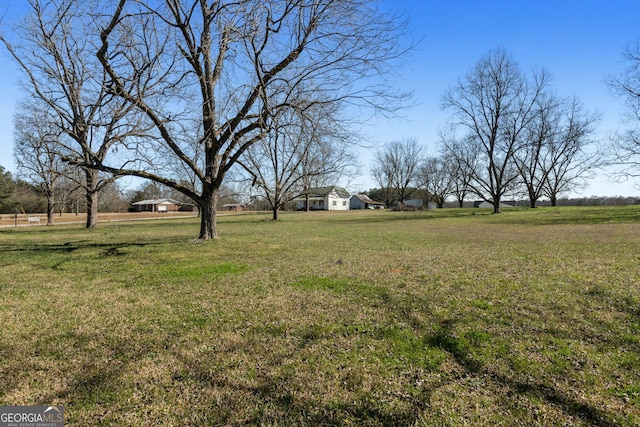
[{"x": 286, "y": 402}]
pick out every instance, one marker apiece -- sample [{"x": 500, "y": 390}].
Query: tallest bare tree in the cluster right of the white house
[{"x": 494, "y": 104}]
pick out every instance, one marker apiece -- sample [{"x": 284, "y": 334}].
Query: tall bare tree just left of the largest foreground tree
[{"x": 54, "y": 47}]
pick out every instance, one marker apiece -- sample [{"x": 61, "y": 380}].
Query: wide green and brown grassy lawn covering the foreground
[{"x": 447, "y": 318}]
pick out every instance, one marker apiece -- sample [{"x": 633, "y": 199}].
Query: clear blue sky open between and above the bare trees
[{"x": 579, "y": 42}]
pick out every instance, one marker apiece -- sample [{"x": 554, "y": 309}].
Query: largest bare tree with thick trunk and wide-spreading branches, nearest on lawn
[{"x": 225, "y": 68}]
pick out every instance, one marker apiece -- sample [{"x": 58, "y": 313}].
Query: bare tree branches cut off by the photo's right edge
[{"x": 626, "y": 145}]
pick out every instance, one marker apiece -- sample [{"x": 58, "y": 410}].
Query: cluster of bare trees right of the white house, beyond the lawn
[{"x": 509, "y": 134}]
